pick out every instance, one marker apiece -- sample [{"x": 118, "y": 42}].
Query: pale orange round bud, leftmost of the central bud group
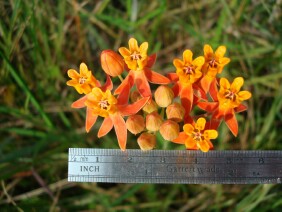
[{"x": 135, "y": 124}]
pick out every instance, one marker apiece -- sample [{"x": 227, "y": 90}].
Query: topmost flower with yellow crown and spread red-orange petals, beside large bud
[{"x": 139, "y": 65}]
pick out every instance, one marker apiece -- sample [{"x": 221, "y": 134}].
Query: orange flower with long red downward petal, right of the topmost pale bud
[{"x": 188, "y": 72}]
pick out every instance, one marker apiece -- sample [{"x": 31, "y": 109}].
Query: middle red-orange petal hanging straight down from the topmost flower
[{"x": 142, "y": 84}]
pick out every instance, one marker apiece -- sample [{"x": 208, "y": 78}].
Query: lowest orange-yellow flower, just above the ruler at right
[{"x": 196, "y": 137}]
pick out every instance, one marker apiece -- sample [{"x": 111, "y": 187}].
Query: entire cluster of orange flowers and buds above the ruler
[{"x": 133, "y": 107}]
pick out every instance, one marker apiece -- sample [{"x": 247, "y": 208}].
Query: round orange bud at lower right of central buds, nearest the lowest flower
[{"x": 169, "y": 130}]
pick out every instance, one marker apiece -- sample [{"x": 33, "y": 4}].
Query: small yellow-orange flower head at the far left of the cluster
[{"x": 83, "y": 81}]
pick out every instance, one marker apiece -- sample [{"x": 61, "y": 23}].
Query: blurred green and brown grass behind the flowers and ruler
[{"x": 41, "y": 40}]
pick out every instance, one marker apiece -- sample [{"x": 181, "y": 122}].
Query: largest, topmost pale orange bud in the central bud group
[{"x": 164, "y": 96}]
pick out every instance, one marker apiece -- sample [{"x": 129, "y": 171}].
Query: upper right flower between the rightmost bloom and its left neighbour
[{"x": 214, "y": 63}]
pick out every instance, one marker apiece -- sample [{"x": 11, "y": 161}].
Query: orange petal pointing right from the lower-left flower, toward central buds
[{"x": 127, "y": 110}]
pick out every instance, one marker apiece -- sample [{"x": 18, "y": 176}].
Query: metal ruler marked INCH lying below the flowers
[{"x": 174, "y": 166}]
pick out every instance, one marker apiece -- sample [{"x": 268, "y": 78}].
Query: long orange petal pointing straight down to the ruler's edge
[{"x": 120, "y": 129}]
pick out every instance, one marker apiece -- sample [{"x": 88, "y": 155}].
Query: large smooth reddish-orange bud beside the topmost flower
[{"x": 112, "y": 63}]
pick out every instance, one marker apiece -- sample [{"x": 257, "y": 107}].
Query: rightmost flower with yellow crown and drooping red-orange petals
[{"x": 228, "y": 102}]
